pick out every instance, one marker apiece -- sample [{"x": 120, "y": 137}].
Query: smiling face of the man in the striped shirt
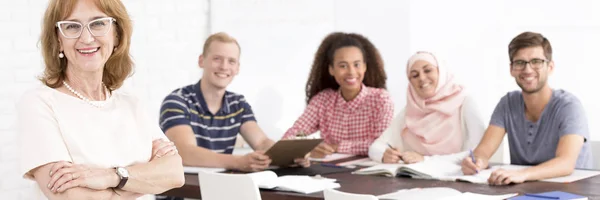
[{"x": 220, "y": 63}]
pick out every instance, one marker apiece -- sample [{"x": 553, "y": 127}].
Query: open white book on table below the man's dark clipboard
[{"x": 300, "y": 184}]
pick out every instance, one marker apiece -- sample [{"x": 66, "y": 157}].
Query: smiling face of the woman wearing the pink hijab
[{"x": 423, "y": 77}]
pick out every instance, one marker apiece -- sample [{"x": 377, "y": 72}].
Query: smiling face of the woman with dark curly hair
[{"x": 348, "y": 68}]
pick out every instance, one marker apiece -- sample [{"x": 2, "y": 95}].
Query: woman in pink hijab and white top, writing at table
[{"x": 439, "y": 118}]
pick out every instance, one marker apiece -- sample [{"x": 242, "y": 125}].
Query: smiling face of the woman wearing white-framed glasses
[{"x": 87, "y": 53}]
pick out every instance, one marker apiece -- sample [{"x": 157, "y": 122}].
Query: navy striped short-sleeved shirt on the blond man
[{"x": 186, "y": 106}]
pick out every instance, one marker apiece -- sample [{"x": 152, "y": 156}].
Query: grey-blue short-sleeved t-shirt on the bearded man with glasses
[{"x": 532, "y": 143}]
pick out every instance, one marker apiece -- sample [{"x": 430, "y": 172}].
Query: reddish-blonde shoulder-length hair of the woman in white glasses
[{"x": 118, "y": 66}]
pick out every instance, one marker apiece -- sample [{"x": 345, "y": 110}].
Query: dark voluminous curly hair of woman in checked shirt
[{"x": 319, "y": 78}]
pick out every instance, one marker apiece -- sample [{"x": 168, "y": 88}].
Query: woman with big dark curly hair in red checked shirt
[{"x": 346, "y": 96}]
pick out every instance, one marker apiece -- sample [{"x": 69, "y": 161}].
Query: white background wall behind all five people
[{"x": 279, "y": 39}]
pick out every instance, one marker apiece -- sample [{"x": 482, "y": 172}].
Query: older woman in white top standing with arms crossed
[{"x": 80, "y": 137}]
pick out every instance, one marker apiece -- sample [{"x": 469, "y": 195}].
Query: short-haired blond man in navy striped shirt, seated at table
[{"x": 203, "y": 119}]
